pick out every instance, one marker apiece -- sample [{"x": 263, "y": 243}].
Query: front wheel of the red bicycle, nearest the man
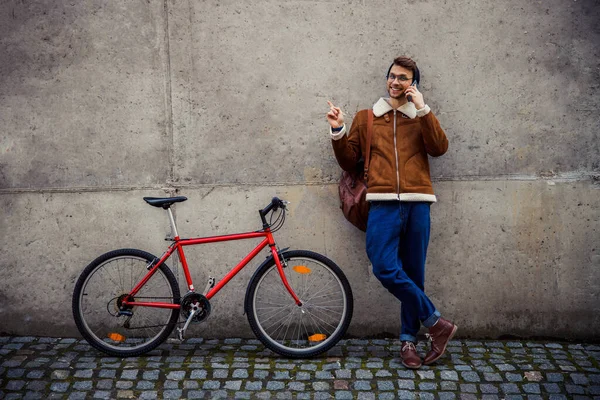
[{"x": 300, "y": 331}]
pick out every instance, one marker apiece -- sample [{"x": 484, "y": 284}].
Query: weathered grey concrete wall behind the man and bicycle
[{"x": 104, "y": 102}]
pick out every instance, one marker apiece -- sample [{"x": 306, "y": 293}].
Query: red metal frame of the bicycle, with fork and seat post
[{"x": 178, "y": 245}]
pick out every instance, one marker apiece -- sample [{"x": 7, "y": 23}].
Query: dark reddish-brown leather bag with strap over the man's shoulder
[{"x": 353, "y": 186}]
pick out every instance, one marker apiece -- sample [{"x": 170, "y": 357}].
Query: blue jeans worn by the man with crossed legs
[{"x": 397, "y": 239}]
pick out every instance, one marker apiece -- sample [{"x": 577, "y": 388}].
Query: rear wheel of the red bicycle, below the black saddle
[{"x": 95, "y": 298}]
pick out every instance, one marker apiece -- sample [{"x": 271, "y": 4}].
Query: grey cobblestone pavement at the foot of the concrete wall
[{"x": 42, "y": 368}]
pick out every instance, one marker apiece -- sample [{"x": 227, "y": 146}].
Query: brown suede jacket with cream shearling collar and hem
[{"x": 401, "y": 141}]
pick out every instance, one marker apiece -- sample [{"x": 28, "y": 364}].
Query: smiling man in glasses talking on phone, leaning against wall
[{"x": 399, "y": 192}]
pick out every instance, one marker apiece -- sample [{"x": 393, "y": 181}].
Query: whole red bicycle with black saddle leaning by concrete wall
[{"x": 127, "y": 302}]
